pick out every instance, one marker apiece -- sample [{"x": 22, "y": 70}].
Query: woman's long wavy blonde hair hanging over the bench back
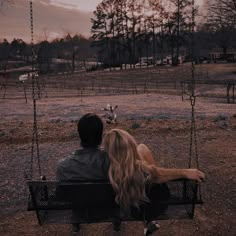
[{"x": 125, "y": 173}]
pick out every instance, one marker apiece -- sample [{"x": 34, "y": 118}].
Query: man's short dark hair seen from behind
[{"x": 90, "y": 129}]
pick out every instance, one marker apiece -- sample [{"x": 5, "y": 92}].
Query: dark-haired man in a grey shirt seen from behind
[{"x": 89, "y": 162}]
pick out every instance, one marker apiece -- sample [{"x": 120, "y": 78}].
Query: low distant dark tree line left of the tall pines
[{"x": 70, "y": 49}]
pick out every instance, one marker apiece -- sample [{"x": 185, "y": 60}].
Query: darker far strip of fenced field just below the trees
[{"x": 212, "y": 82}]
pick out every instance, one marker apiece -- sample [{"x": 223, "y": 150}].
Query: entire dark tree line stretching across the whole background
[{"x": 123, "y": 31}]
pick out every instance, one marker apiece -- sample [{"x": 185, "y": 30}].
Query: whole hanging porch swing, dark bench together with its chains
[{"x": 93, "y": 202}]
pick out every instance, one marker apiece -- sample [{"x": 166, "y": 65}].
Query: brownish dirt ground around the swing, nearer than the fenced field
[{"x": 160, "y": 120}]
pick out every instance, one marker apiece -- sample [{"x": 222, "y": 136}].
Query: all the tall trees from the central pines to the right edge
[{"x": 125, "y": 30}]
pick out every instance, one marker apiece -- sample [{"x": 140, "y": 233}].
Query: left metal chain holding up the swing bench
[{"x": 35, "y": 139}]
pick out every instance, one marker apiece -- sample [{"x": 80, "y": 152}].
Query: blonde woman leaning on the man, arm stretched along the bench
[{"x": 132, "y": 165}]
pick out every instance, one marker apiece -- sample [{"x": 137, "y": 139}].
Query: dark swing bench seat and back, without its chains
[{"x": 94, "y": 202}]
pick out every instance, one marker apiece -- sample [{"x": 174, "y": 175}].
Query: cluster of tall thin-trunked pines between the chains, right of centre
[{"x": 130, "y": 29}]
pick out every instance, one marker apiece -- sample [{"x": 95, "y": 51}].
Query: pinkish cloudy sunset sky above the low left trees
[{"x": 52, "y": 18}]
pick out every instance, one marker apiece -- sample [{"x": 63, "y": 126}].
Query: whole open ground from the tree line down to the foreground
[{"x": 150, "y": 107}]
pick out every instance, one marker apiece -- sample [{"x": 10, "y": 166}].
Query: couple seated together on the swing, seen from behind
[{"x": 127, "y": 165}]
